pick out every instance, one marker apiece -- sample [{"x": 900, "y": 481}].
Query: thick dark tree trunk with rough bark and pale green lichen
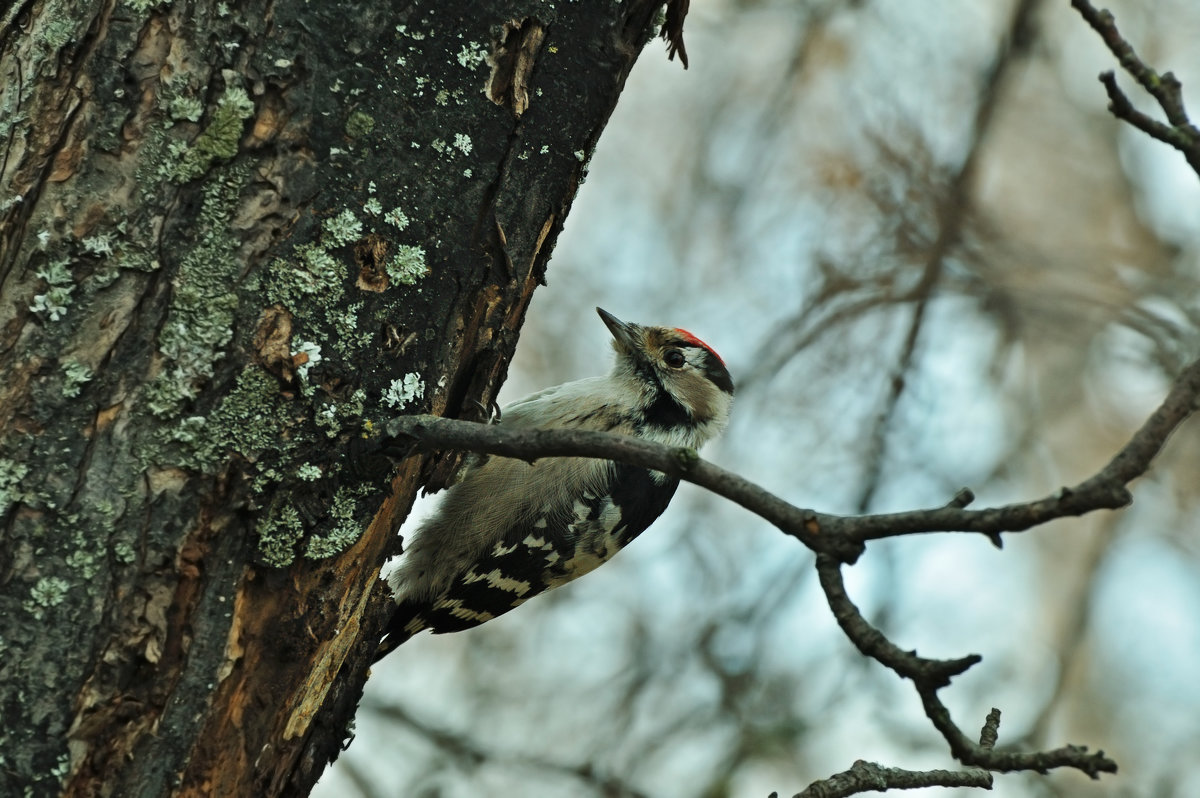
[{"x": 232, "y": 236}]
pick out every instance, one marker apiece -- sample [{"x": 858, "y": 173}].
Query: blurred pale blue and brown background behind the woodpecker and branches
[{"x": 932, "y": 259}]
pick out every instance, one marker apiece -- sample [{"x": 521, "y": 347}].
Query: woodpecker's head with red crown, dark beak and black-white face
[{"x": 682, "y": 382}]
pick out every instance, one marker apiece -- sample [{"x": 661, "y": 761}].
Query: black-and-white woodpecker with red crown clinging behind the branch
[{"x": 511, "y": 530}]
